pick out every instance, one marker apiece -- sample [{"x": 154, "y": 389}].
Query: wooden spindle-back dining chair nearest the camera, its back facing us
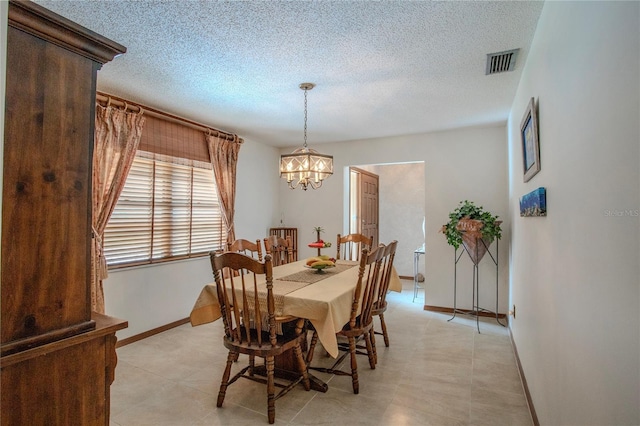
[{"x": 250, "y": 324}]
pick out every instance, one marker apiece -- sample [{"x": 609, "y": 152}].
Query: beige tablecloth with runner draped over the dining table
[{"x": 323, "y": 297}]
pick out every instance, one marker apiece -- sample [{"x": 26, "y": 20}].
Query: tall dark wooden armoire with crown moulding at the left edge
[{"x": 57, "y": 358}]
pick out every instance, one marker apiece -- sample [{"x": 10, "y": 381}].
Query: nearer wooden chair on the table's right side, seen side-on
[{"x": 360, "y": 321}]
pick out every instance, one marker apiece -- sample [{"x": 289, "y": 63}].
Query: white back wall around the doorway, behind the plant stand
[{"x": 459, "y": 164}]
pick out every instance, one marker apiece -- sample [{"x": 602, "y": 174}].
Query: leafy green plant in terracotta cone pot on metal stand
[{"x": 467, "y": 224}]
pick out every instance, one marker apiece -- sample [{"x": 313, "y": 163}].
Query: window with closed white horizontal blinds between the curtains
[{"x": 168, "y": 210}]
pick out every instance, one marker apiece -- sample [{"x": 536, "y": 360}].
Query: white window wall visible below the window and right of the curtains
[{"x": 153, "y": 296}]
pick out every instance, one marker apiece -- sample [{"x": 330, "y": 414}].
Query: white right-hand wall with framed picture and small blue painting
[{"x": 575, "y": 274}]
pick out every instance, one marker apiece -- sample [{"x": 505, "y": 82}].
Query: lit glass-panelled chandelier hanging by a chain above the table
[{"x": 305, "y": 167}]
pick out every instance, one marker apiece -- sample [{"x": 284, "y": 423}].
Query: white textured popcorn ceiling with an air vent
[{"x": 381, "y": 68}]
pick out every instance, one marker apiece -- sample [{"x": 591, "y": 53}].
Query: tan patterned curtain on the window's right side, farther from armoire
[{"x": 224, "y": 159}]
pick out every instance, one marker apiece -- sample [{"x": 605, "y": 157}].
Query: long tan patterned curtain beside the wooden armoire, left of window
[{"x": 116, "y": 141}]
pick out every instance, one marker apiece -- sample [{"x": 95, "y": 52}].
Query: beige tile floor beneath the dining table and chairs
[{"x": 434, "y": 373}]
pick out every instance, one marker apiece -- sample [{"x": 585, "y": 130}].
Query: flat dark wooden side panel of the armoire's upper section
[{"x": 46, "y": 226}]
